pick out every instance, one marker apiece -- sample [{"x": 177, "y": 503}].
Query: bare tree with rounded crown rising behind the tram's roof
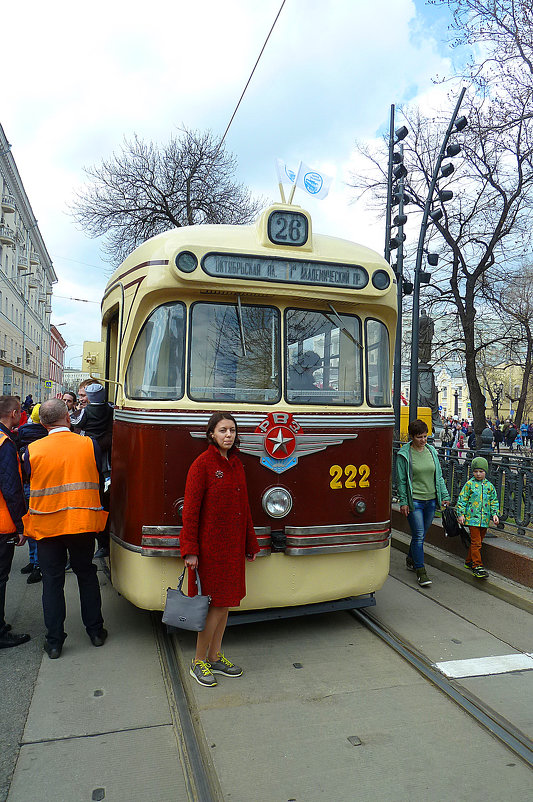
[{"x": 145, "y": 189}]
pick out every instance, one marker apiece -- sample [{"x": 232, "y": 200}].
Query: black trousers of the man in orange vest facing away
[{"x": 52, "y": 552}]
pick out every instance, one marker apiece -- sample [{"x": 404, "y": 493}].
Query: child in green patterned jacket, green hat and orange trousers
[{"x": 476, "y": 506}]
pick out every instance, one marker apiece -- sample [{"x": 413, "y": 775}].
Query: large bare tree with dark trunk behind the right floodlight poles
[{"x": 486, "y": 224}]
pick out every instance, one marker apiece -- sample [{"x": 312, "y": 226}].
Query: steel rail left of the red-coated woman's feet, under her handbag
[{"x": 200, "y": 775}]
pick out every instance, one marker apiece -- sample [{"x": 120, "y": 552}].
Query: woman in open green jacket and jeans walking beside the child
[{"x": 420, "y": 489}]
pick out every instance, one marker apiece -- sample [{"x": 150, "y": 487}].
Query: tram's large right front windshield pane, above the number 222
[{"x": 323, "y": 359}]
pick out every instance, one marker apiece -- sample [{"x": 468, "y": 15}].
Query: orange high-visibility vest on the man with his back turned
[{"x": 64, "y": 487}]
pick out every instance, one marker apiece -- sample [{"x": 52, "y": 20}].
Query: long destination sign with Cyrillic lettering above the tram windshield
[{"x": 291, "y": 271}]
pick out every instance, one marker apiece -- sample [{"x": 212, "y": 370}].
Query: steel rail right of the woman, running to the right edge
[{"x": 488, "y": 718}]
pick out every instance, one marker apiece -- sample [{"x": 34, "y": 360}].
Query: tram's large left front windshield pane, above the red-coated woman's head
[{"x": 234, "y": 353}]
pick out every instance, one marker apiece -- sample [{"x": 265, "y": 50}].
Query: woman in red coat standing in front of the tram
[{"x": 216, "y": 536}]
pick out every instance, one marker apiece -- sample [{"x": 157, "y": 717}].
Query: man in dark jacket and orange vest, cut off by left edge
[{"x": 12, "y": 509}]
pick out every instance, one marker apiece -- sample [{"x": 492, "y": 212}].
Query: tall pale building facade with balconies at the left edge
[{"x": 26, "y": 279}]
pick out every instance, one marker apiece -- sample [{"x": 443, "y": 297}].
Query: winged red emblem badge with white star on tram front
[{"x": 279, "y": 441}]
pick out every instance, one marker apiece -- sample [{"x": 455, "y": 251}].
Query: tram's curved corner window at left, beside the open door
[{"x": 156, "y": 366}]
